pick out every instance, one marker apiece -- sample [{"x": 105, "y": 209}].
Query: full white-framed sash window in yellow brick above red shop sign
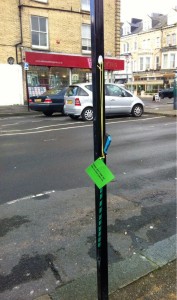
[{"x": 39, "y": 32}]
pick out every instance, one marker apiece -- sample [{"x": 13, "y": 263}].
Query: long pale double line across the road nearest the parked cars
[{"x": 11, "y": 133}]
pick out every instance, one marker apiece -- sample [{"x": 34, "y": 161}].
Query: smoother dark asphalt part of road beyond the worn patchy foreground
[{"x": 40, "y": 154}]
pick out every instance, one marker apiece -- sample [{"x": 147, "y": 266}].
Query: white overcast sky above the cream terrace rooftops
[{"x": 140, "y": 8}]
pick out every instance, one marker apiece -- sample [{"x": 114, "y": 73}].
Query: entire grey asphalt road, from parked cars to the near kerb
[{"x": 43, "y": 185}]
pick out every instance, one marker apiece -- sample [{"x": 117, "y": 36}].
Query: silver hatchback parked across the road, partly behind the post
[{"x": 118, "y": 100}]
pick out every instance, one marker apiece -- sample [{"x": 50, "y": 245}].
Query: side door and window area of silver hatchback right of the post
[{"x": 120, "y": 100}]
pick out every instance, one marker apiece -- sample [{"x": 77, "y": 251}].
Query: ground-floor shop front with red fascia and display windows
[{"x": 55, "y": 71}]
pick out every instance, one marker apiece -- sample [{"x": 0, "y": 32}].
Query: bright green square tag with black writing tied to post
[{"x": 99, "y": 173}]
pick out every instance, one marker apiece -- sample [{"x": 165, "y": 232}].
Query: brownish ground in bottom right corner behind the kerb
[{"x": 157, "y": 285}]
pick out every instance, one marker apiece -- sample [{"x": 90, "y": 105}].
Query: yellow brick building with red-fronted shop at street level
[{"x": 51, "y": 41}]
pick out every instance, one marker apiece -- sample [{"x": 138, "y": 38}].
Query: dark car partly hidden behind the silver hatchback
[{"x": 49, "y": 102}]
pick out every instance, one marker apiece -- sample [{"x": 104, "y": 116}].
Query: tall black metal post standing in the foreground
[{"x": 97, "y": 39}]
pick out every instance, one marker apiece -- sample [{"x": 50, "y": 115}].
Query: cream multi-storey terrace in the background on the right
[{"x": 149, "y": 49}]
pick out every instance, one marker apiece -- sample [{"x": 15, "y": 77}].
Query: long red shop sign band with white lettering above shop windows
[{"x": 69, "y": 61}]
